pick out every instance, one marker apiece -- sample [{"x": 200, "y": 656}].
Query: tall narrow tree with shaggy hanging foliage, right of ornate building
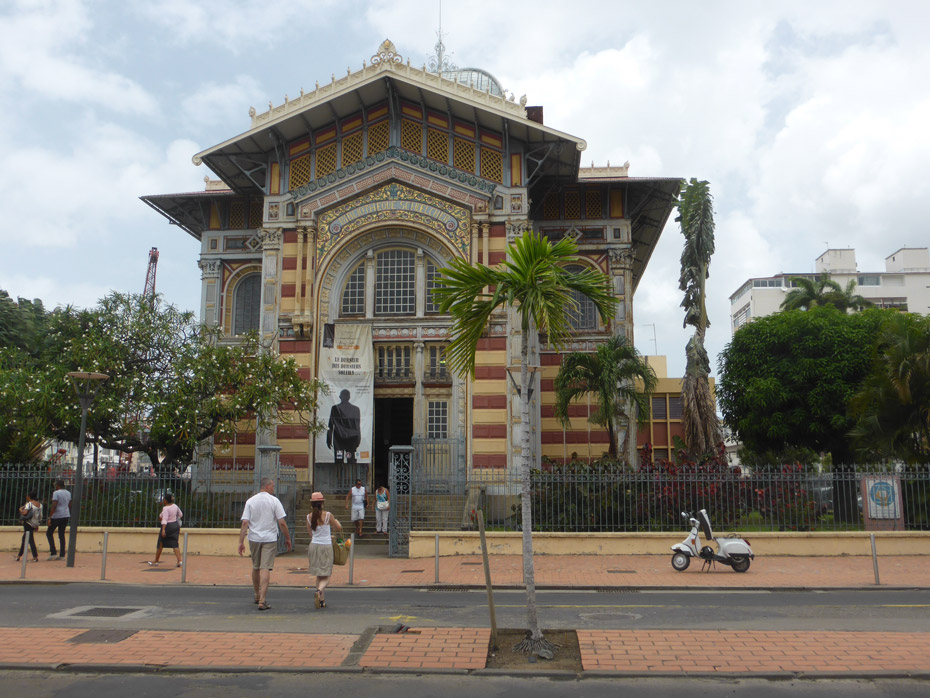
[{"x": 699, "y": 414}]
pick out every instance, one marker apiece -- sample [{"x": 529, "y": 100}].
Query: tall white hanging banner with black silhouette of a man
[{"x": 347, "y": 368}]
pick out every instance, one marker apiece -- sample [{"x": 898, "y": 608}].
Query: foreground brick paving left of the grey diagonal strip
[{"x": 176, "y": 648}]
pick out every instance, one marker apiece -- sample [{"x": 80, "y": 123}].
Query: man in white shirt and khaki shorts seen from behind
[{"x": 261, "y": 519}]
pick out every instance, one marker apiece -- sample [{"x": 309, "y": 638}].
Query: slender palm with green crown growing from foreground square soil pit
[{"x": 534, "y": 282}]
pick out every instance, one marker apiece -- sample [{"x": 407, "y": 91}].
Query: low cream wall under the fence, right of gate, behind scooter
[{"x": 423, "y": 544}]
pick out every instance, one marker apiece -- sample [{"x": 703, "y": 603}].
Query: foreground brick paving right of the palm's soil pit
[{"x": 746, "y": 651}]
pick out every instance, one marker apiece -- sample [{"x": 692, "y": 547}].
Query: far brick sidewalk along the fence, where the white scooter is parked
[{"x": 576, "y": 571}]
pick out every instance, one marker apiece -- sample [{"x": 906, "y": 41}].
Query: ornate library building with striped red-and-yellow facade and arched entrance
[{"x": 333, "y": 213}]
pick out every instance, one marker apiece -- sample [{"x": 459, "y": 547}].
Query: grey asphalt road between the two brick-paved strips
[{"x": 352, "y": 610}]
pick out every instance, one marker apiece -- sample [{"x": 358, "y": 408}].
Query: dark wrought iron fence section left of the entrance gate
[{"x": 208, "y": 498}]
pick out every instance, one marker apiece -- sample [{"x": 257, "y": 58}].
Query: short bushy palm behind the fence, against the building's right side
[{"x": 610, "y": 375}]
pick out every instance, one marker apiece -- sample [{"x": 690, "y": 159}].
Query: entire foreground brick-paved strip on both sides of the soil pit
[{"x": 459, "y": 650}]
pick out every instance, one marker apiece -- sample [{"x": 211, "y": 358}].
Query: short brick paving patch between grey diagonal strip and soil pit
[{"x": 429, "y": 648}]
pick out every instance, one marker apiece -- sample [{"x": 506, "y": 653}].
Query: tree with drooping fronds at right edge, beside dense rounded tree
[{"x": 892, "y": 408}]
